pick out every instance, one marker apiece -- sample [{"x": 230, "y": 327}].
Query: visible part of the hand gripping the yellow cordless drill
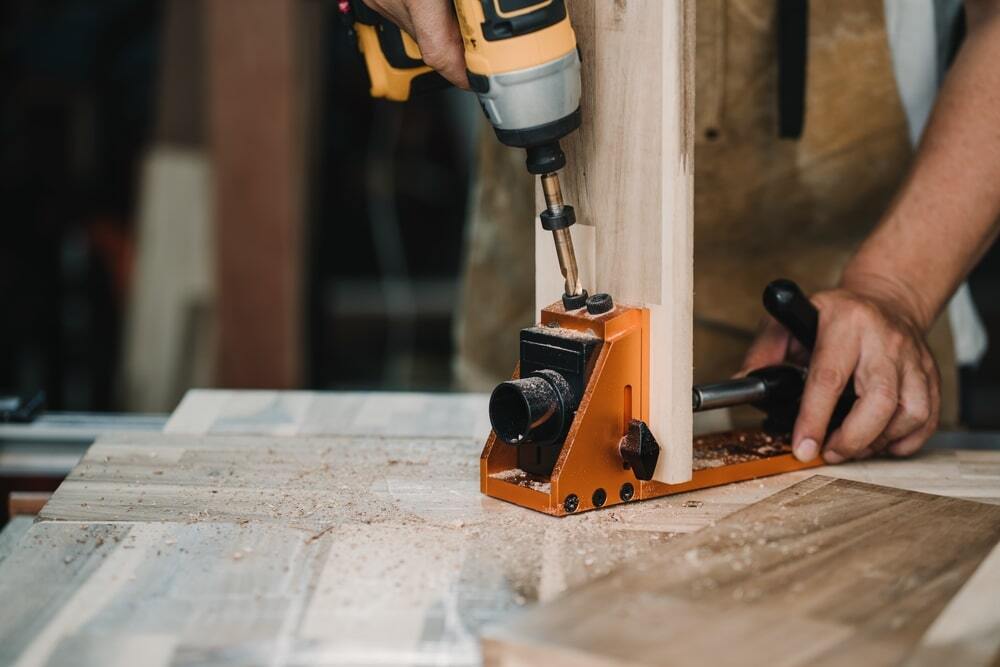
[{"x": 436, "y": 30}]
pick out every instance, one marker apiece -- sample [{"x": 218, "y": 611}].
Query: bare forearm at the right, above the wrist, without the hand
[{"x": 947, "y": 212}]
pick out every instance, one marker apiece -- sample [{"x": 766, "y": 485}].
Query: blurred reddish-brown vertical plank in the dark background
[{"x": 255, "y": 130}]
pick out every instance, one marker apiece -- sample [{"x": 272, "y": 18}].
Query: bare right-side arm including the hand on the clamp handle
[{"x": 941, "y": 222}]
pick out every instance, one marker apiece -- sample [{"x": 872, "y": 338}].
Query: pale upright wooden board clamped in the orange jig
[{"x": 629, "y": 175}]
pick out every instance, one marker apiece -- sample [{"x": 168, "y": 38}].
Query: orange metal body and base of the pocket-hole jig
[{"x": 590, "y": 472}]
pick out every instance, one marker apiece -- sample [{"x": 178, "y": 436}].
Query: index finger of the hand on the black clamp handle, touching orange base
[{"x": 834, "y": 359}]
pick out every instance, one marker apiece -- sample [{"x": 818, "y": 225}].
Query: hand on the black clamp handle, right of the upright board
[{"x": 873, "y": 340}]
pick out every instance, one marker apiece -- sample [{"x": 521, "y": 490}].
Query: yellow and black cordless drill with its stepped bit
[{"x": 523, "y": 64}]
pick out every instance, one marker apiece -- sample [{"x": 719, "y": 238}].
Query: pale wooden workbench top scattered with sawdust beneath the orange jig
[{"x": 301, "y": 528}]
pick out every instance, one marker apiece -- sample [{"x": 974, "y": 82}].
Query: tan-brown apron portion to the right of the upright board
[{"x": 767, "y": 207}]
